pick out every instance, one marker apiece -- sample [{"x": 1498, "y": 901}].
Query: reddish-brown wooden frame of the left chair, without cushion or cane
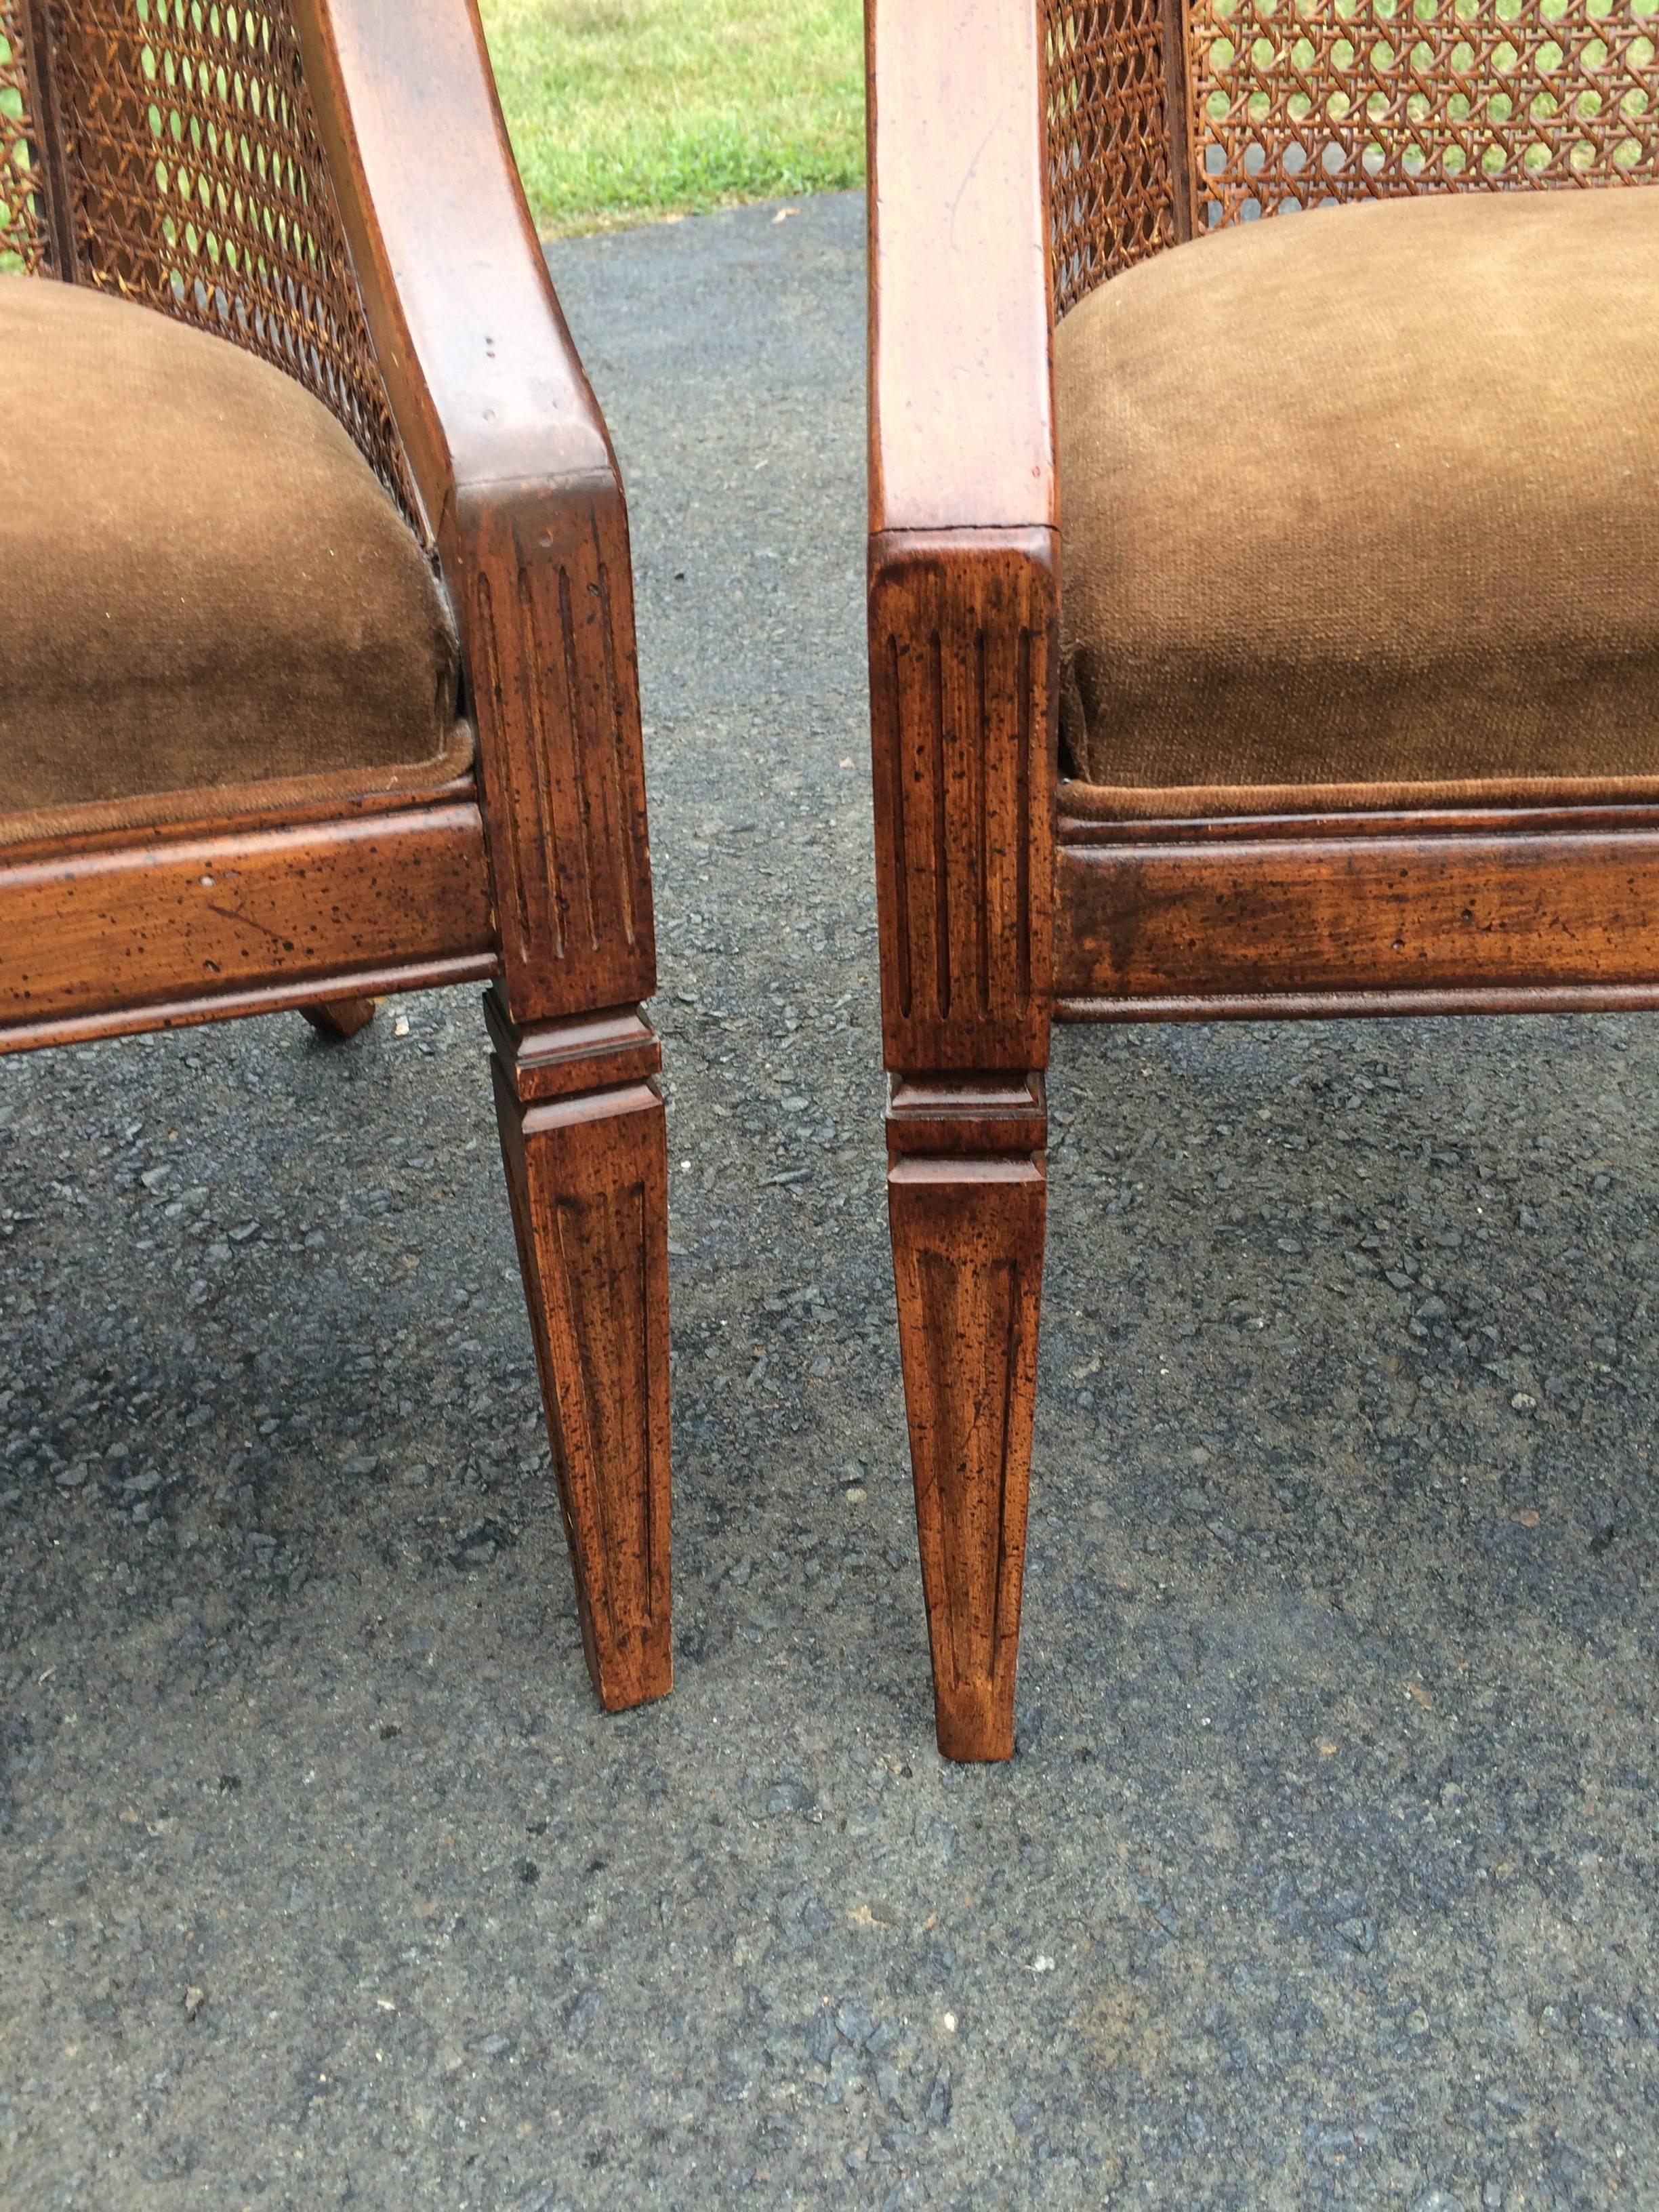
[{"x": 539, "y": 870}]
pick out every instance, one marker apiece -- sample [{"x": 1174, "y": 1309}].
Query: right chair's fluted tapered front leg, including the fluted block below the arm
[{"x": 963, "y": 747}]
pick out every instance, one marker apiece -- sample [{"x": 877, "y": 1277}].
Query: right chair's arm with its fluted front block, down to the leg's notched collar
[{"x": 963, "y": 543}]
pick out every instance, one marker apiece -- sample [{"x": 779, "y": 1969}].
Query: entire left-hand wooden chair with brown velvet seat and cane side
[{"x": 278, "y": 735}]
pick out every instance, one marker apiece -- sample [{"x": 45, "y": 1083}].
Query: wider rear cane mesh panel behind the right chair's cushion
[{"x": 1300, "y": 103}]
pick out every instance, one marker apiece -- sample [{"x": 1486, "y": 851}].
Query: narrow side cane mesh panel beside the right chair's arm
[{"x": 1112, "y": 196}]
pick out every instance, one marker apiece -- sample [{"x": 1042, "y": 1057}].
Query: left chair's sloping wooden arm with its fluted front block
[{"x": 519, "y": 479}]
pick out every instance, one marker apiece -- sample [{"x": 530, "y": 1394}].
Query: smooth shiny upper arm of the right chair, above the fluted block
[{"x": 961, "y": 386}]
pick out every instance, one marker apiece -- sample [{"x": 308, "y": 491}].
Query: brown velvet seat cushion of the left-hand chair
[{"x": 205, "y": 583}]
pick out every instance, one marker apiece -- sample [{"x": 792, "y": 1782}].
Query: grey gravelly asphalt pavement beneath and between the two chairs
[{"x": 1326, "y": 1870}]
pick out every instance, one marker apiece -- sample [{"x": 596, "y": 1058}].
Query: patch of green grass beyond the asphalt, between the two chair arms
[{"x": 634, "y": 109}]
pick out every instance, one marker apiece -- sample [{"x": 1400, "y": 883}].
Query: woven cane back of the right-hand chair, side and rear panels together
[{"x": 1173, "y": 116}]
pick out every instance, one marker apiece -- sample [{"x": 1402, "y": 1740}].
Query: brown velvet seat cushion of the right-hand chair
[{"x": 1361, "y": 508}]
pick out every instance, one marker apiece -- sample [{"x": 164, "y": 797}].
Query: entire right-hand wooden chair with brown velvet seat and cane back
[{"x": 1357, "y": 665}]
